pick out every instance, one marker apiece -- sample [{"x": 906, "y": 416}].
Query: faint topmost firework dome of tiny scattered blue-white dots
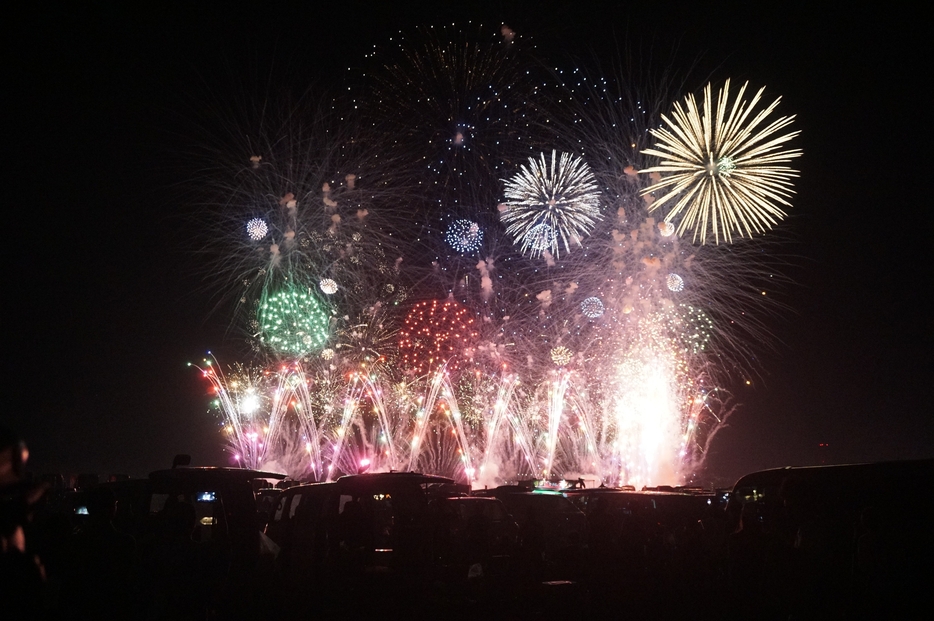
[{"x": 467, "y": 112}]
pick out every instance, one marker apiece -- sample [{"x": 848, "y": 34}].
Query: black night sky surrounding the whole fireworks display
[{"x": 103, "y": 305}]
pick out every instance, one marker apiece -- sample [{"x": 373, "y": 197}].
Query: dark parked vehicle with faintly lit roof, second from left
[{"x": 361, "y": 533}]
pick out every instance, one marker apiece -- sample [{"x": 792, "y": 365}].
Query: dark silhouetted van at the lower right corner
[{"x": 829, "y": 540}]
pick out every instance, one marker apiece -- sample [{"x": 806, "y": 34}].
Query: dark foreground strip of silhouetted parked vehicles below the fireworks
[{"x": 841, "y": 542}]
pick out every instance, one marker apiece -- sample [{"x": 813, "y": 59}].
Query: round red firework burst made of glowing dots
[{"x": 437, "y": 332}]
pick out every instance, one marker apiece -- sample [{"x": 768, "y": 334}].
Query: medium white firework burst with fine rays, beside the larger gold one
[{"x": 559, "y": 196}]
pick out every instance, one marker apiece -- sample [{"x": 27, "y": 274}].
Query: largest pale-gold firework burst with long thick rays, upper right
[{"x": 725, "y": 167}]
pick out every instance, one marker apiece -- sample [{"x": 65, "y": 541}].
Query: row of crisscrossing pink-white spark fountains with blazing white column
[{"x": 639, "y": 434}]
